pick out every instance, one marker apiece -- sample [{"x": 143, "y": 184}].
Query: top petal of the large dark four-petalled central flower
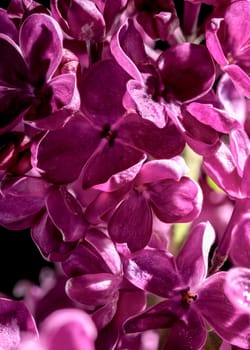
[{"x": 103, "y": 105}]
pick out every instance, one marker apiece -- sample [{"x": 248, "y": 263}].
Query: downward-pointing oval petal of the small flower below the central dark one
[{"x": 132, "y": 222}]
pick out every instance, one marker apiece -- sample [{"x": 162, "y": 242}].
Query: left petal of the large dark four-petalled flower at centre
[{"x": 56, "y": 153}]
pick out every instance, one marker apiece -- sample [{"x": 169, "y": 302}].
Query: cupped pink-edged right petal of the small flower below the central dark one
[{"x": 174, "y": 201}]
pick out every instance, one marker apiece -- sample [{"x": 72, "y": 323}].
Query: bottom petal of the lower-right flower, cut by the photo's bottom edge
[{"x": 189, "y": 335}]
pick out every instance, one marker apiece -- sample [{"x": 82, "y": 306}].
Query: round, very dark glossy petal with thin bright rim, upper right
[{"x": 187, "y": 71}]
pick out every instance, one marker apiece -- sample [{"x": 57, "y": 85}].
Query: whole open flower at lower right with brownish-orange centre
[{"x": 191, "y": 298}]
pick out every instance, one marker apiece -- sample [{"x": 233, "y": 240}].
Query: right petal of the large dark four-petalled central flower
[{"x": 161, "y": 143}]
